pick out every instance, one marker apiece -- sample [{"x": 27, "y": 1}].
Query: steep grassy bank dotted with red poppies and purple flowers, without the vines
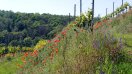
[{"x": 75, "y": 51}]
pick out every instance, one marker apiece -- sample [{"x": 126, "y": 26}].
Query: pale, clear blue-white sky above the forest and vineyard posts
[{"x": 59, "y": 7}]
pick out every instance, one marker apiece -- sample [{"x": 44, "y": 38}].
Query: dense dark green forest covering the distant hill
[{"x": 26, "y": 29}]
